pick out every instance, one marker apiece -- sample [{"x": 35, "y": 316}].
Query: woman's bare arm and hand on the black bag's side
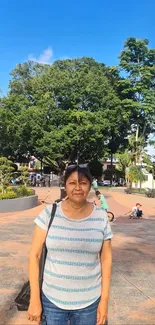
[{"x": 39, "y": 237}]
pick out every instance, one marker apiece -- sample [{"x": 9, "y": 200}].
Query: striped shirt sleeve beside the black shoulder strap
[{"x": 42, "y": 220}]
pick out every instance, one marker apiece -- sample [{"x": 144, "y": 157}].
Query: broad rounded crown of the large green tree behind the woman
[{"x": 64, "y": 110}]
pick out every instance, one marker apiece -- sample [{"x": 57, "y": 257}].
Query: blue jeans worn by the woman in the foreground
[{"x": 53, "y": 315}]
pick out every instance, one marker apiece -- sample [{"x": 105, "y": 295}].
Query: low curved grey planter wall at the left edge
[{"x": 20, "y": 204}]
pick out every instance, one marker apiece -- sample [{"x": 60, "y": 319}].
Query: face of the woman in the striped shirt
[{"x": 77, "y": 189}]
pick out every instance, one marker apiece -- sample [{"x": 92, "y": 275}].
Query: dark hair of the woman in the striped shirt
[{"x": 83, "y": 171}]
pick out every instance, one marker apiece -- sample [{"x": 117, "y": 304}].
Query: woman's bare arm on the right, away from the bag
[{"x": 106, "y": 263}]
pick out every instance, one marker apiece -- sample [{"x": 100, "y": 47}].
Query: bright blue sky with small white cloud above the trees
[{"x": 50, "y": 30}]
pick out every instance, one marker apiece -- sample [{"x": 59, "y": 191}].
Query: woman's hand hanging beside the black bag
[{"x": 35, "y": 311}]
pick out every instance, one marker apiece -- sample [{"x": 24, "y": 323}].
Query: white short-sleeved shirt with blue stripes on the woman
[{"x": 72, "y": 274}]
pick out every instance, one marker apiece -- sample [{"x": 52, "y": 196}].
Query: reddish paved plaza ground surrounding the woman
[{"x": 132, "y": 300}]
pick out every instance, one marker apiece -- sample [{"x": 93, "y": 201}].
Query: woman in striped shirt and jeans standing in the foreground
[{"x": 78, "y": 265}]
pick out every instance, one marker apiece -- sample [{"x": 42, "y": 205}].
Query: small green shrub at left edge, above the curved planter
[{"x": 6, "y": 172}]
